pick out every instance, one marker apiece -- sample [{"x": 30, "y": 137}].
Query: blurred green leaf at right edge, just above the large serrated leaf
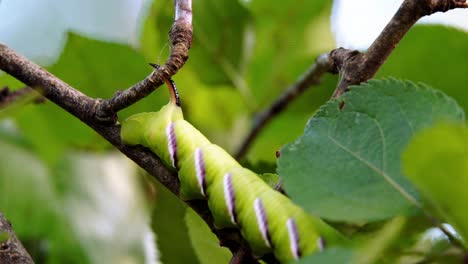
[{"x": 418, "y": 57}]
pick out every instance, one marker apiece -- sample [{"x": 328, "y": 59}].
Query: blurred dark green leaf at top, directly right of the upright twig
[{"x": 220, "y": 28}]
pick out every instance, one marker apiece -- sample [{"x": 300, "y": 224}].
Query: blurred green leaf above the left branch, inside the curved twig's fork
[{"x": 99, "y": 68}]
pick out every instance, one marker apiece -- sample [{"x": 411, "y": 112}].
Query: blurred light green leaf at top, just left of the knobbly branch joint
[{"x": 281, "y": 47}]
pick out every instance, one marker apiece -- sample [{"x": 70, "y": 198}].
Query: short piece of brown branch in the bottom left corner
[{"x": 11, "y": 249}]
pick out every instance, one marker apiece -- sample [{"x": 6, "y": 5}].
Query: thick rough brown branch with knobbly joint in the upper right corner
[{"x": 357, "y": 67}]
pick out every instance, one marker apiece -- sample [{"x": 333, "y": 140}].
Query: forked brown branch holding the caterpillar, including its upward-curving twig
[{"x": 97, "y": 113}]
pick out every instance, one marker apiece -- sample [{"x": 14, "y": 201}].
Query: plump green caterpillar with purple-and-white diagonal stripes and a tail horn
[{"x": 237, "y": 197}]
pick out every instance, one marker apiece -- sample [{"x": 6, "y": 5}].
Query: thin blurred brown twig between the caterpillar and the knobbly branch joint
[{"x": 310, "y": 78}]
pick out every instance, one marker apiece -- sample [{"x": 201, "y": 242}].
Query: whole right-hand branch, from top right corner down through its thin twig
[{"x": 355, "y": 67}]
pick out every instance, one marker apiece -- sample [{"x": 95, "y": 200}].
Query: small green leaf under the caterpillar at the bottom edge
[{"x": 204, "y": 242}]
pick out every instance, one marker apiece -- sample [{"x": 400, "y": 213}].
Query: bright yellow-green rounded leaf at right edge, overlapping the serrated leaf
[{"x": 436, "y": 161}]
